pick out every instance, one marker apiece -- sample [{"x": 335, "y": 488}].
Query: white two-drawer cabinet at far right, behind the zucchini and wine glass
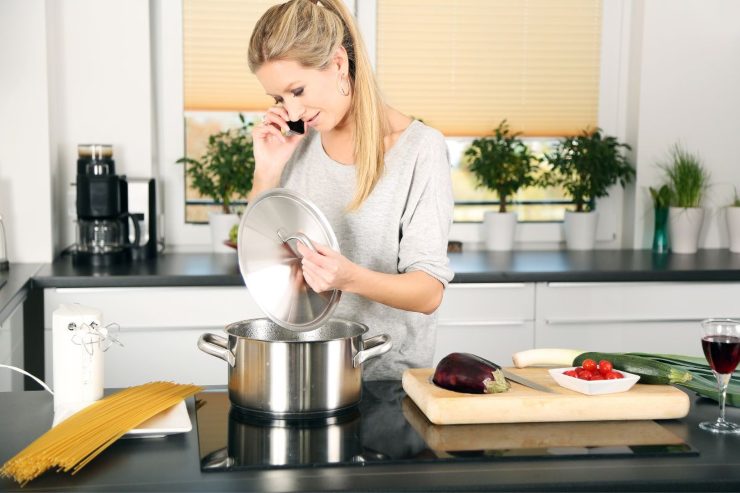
[{"x": 616, "y": 317}]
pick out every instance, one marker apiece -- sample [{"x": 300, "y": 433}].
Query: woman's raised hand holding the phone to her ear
[{"x": 272, "y": 149}]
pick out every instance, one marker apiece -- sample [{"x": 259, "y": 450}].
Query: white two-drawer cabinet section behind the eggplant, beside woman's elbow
[{"x": 490, "y": 320}]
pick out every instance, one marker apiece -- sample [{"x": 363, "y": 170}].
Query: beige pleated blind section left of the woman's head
[{"x": 216, "y": 37}]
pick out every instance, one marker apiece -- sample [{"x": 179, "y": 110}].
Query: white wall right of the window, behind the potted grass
[{"x": 689, "y": 91}]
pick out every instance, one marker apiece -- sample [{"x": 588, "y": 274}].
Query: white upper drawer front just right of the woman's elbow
[{"x": 488, "y": 303}]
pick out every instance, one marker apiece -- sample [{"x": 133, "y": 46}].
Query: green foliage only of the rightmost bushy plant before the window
[{"x": 586, "y": 166}]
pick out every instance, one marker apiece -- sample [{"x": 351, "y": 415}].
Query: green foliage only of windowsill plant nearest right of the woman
[{"x": 502, "y": 163}]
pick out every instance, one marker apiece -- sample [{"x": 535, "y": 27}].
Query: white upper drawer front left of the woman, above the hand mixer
[{"x": 159, "y": 307}]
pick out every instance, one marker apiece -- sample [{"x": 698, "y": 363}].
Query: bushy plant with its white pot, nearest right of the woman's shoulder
[{"x": 503, "y": 164}]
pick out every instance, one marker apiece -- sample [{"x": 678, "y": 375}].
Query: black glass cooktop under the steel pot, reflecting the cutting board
[{"x": 388, "y": 427}]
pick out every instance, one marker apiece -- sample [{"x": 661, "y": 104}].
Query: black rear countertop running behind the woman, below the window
[{"x": 205, "y": 269}]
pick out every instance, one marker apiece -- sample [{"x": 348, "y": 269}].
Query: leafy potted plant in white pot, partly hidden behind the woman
[{"x": 224, "y": 173}]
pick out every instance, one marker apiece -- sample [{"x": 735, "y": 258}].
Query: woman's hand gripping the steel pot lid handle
[{"x": 327, "y": 269}]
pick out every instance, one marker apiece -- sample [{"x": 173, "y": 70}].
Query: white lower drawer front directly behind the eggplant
[{"x": 494, "y": 342}]
